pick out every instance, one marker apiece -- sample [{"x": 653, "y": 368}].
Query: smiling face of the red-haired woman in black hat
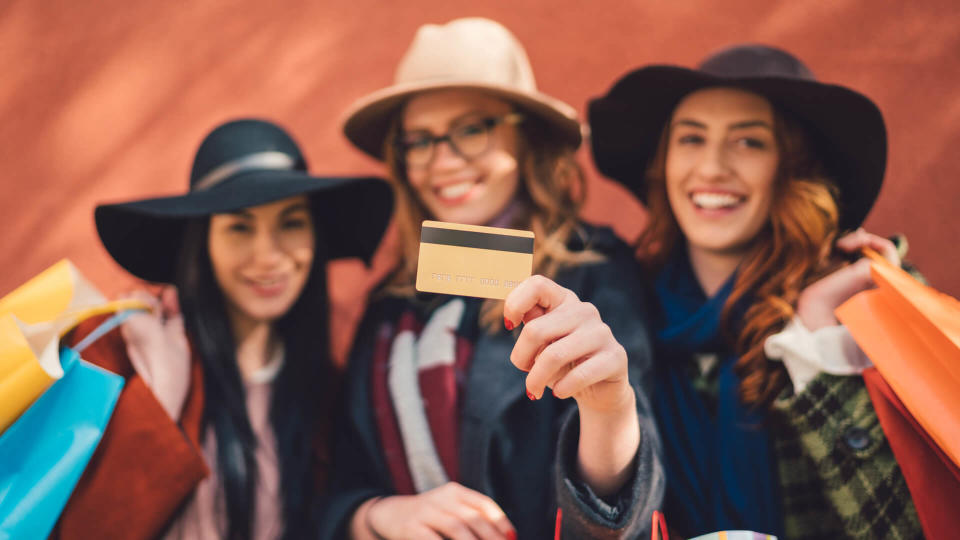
[{"x": 721, "y": 163}]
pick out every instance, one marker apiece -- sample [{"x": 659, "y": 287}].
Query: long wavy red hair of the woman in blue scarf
[{"x": 791, "y": 251}]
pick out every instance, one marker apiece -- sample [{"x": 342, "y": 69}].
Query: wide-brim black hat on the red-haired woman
[{"x": 847, "y": 127}]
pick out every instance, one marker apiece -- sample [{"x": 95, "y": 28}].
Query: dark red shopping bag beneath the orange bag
[{"x": 932, "y": 478}]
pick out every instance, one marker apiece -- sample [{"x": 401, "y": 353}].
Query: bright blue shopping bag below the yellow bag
[{"x": 43, "y": 454}]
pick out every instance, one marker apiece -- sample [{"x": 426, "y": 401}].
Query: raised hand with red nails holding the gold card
[{"x": 566, "y": 346}]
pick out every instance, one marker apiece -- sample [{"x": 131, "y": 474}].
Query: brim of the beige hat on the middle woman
[{"x": 368, "y": 120}]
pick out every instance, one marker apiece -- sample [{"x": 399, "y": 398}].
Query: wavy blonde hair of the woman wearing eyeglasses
[{"x": 552, "y": 190}]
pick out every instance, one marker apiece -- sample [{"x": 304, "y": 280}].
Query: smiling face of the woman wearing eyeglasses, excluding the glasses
[{"x": 454, "y": 187}]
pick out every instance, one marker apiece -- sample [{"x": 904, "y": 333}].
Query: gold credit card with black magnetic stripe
[{"x": 470, "y": 260}]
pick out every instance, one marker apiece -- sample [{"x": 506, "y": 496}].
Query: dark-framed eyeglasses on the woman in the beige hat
[{"x": 469, "y": 139}]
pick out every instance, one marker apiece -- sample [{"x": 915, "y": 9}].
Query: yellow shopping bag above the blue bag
[{"x": 32, "y": 319}]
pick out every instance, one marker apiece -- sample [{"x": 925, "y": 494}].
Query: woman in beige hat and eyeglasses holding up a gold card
[{"x": 438, "y": 439}]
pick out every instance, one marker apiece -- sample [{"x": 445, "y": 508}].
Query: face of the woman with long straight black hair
[{"x": 261, "y": 257}]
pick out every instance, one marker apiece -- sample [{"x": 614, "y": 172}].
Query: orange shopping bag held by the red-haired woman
[{"x": 911, "y": 332}]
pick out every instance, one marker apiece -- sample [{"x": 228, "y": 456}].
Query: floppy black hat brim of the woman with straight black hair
[{"x": 145, "y": 236}]
